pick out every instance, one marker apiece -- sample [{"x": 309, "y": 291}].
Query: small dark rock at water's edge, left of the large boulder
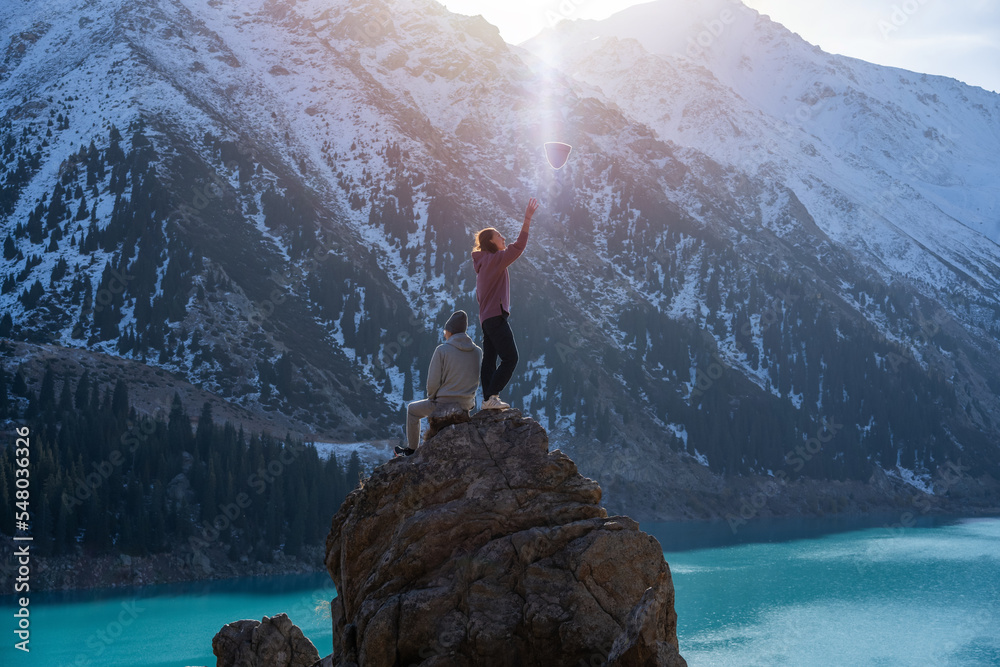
[{"x": 270, "y": 642}]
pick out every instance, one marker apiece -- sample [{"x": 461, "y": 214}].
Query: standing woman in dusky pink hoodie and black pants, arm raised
[{"x": 491, "y": 257}]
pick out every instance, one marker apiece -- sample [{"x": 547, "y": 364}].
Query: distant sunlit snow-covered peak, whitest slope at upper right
[{"x": 897, "y": 166}]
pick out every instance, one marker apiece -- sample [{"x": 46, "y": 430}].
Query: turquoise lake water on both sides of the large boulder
[{"x": 781, "y": 592}]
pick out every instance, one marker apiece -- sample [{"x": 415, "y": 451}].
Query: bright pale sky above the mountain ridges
[{"x": 956, "y": 38}]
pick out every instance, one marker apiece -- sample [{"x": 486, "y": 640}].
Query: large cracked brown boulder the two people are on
[{"x": 484, "y": 548}]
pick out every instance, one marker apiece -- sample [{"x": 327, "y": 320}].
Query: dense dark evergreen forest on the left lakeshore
[{"x": 127, "y": 510}]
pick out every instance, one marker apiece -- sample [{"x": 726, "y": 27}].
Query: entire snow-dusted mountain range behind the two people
[{"x": 276, "y": 200}]
